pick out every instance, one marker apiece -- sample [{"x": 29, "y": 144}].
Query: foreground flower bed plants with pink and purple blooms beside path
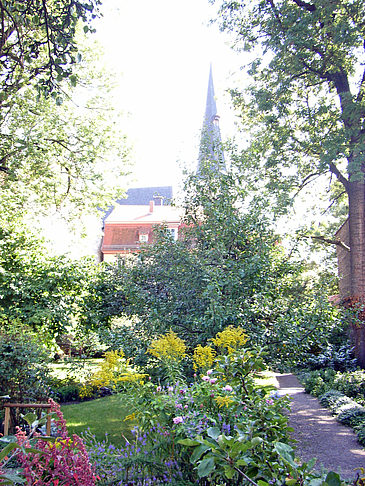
[{"x": 213, "y": 431}]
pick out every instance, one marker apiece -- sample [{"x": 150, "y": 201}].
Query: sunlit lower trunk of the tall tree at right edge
[{"x": 356, "y": 192}]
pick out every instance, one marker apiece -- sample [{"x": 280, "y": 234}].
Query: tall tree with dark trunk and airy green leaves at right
[{"x": 306, "y": 105}]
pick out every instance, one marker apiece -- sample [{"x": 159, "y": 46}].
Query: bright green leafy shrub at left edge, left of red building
[{"x": 45, "y": 292}]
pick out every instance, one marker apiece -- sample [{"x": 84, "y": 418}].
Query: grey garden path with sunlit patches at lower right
[{"x": 318, "y": 434}]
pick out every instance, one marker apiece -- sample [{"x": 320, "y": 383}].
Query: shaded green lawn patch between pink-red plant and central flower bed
[{"x": 103, "y": 415}]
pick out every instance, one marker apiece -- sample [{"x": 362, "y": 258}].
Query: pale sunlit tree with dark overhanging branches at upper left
[{"x": 60, "y": 144}]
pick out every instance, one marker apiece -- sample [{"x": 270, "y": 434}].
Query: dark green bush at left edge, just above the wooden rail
[{"x": 24, "y": 374}]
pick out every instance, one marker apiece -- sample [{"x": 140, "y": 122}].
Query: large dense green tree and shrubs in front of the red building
[{"x": 227, "y": 269}]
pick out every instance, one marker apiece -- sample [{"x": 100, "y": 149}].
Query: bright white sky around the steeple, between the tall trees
[{"x": 161, "y": 51}]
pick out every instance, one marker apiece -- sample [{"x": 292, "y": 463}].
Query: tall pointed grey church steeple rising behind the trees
[{"x": 211, "y": 151}]
